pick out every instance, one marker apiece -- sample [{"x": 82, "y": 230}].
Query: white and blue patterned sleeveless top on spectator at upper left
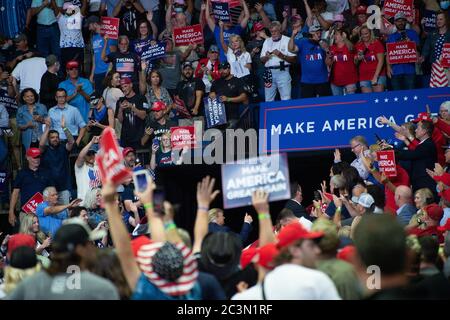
[{"x": 70, "y": 28}]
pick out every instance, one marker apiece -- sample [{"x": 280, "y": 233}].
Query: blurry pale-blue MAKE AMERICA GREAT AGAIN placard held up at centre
[{"x": 241, "y": 179}]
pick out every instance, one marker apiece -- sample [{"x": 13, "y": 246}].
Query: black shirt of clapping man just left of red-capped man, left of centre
[{"x": 132, "y": 125}]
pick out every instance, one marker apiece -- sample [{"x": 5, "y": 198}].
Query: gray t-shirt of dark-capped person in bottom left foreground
[{"x": 71, "y": 286}]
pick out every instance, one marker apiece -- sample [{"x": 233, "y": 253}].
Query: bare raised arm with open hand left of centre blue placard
[{"x": 205, "y": 195}]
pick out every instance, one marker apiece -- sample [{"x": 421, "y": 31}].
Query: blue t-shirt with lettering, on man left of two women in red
[{"x": 312, "y": 60}]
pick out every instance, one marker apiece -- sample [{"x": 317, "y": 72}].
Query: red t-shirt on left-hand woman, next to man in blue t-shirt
[{"x": 344, "y": 69}]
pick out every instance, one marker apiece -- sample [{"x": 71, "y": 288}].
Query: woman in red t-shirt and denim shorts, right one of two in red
[{"x": 370, "y": 61}]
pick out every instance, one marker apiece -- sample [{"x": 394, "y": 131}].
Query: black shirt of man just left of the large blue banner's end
[{"x": 231, "y": 88}]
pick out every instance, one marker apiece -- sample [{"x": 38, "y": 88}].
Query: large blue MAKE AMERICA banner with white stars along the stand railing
[{"x": 330, "y": 122}]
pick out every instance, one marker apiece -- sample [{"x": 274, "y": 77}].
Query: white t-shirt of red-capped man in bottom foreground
[{"x": 292, "y": 282}]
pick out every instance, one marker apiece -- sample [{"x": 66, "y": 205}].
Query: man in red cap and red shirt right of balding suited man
[{"x": 428, "y": 225}]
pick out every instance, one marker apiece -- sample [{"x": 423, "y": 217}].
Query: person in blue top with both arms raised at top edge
[{"x": 228, "y": 30}]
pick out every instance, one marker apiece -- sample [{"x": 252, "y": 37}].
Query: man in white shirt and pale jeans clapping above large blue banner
[{"x": 276, "y": 58}]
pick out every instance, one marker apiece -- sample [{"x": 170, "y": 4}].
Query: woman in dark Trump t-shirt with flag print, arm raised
[{"x": 123, "y": 61}]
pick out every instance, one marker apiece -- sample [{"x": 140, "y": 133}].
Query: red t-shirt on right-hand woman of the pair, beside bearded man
[{"x": 368, "y": 65}]
